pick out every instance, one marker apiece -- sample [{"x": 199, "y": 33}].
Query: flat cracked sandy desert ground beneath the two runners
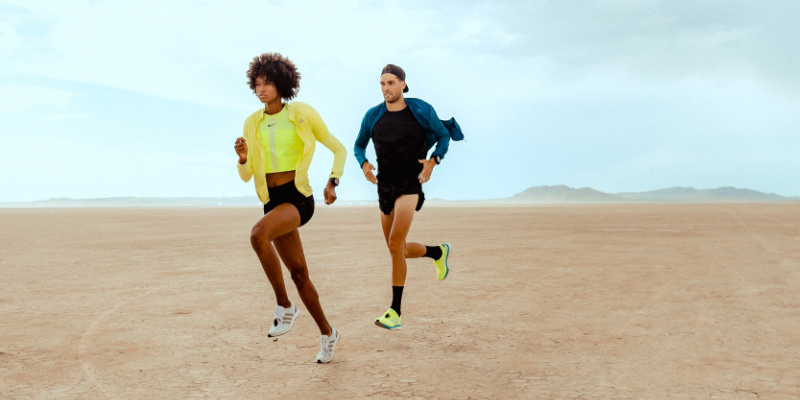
[{"x": 562, "y": 302}]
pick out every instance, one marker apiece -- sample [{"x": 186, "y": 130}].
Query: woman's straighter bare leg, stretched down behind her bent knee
[{"x": 290, "y": 249}]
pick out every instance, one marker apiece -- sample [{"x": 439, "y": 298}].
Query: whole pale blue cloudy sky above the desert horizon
[{"x": 145, "y": 98}]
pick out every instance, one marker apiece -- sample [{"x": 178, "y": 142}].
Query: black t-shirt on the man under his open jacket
[{"x": 399, "y": 144}]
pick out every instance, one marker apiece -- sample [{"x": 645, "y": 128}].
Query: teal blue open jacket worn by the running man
[{"x": 437, "y": 131}]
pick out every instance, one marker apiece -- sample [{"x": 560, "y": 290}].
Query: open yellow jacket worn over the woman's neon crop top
[{"x": 310, "y": 128}]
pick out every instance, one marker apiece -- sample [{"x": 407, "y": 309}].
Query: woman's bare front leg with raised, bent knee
[{"x": 278, "y": 222}]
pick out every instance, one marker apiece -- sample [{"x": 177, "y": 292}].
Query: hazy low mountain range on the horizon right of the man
[{"x": 566, "y": 194}]
